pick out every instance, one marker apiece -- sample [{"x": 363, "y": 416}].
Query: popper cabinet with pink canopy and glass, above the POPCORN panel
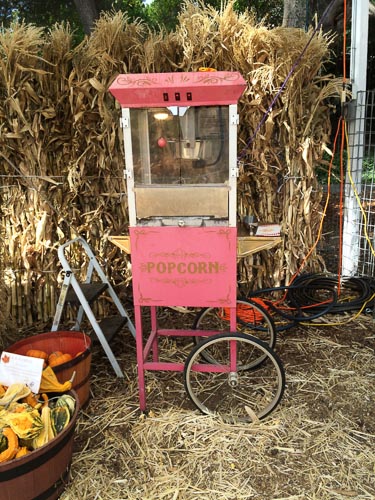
[{"x": 180, "y": 147}]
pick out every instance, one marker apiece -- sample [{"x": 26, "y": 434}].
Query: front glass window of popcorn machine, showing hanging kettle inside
[{"x": 180, "y": 145}]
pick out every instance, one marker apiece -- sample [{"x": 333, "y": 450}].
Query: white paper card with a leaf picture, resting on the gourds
[{"x": 18, "y": 369}]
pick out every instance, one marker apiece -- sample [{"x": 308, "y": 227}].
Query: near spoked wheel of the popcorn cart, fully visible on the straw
[{"x": 237, "y": 396}]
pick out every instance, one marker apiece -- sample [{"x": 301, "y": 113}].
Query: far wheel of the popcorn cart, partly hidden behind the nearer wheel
[{"x": 252, "y": 319}]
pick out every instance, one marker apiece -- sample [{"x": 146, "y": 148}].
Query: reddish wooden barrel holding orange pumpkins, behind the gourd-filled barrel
[{"x": 77, "y": 344}]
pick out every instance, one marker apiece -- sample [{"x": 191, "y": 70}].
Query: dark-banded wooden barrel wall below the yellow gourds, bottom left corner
[{"x": 44, "y": 473}]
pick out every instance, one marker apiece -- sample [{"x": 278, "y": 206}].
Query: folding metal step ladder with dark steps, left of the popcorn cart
[{"x": 83, "y": 296}]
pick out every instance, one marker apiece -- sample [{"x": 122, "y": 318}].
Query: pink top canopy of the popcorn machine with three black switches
[{"x": 178, "y": 89}]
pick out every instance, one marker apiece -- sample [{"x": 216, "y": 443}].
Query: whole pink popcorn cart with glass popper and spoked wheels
[{"x": 180, "y": 141}]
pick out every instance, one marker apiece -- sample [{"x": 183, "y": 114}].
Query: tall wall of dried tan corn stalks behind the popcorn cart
[{"x": 62, "y": 160}]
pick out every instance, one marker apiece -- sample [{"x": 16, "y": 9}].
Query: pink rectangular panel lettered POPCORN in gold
[{"x": 184, "y": 266}]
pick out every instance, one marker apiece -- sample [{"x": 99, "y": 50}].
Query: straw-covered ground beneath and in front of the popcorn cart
[{"x": 317, "y": 445}]
